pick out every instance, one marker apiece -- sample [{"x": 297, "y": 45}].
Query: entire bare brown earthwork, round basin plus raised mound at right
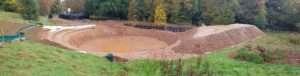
[{"x": 133, "y": 43}]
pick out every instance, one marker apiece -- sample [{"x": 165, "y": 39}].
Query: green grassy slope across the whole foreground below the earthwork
[{"x": 30, "y": 58}]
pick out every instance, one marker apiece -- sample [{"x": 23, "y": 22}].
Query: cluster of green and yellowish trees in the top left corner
[{"x": 31, "y": 9}]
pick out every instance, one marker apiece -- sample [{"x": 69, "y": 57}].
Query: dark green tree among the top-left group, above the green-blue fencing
[{"x": 30, "y": 10}]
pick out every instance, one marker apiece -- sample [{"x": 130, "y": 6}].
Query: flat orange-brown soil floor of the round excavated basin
[{"x": 124, "y": 44}]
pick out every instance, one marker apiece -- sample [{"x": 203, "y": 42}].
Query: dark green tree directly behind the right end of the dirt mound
[{"x": 252, "y": 12}]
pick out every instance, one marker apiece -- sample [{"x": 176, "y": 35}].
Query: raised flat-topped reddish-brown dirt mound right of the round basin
[{"x": 214, "y": 38}]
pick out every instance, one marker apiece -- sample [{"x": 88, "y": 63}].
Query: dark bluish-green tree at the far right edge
[{"x": 283, "y": 14}]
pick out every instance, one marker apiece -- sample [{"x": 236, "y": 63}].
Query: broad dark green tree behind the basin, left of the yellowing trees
[{"x": 107, "y": 8}]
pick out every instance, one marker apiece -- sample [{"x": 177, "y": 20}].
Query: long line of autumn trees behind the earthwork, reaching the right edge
[{"x": 266, "y": 14}]
